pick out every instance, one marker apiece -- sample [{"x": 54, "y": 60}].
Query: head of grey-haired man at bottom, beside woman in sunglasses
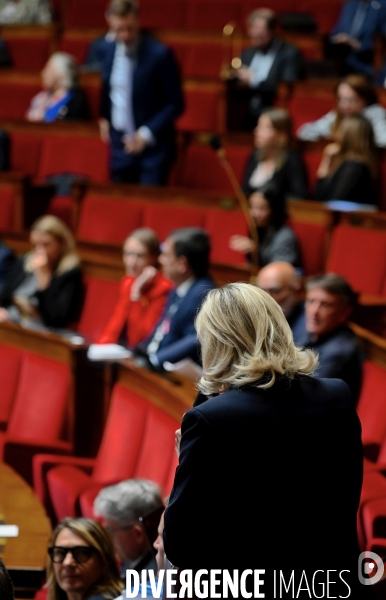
[{"x": 131, "y": 513}]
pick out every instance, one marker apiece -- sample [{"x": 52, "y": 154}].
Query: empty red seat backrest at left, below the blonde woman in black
[{"x": 41, "y": 400}]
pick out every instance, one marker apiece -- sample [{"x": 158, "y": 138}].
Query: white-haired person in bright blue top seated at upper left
[{"x": 61, "y": 98}]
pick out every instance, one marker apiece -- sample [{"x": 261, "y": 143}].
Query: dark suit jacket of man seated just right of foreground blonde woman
[{"x": 339, "y": 356}]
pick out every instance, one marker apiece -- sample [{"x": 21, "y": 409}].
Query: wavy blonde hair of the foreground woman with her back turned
[{"x": 246, "y": 339}]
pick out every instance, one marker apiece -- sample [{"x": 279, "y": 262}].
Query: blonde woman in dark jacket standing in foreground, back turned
[{"x": 270, "y": 461}]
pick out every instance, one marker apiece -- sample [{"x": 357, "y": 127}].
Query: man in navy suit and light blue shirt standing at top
[{"x": 141, "y": 98}]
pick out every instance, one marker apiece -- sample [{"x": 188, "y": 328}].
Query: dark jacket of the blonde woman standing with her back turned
[{"x": 269, "y": 479}]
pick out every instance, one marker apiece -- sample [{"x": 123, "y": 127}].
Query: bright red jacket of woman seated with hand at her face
[{"x": 139, "y": 316}]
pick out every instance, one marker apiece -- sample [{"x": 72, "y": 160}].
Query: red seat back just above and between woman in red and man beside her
[{"x": 166, "y": 217}]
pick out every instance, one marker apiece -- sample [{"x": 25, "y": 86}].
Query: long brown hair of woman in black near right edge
[{"x": 355, "y": 137}]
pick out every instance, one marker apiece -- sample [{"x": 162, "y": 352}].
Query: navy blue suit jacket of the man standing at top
[{"x": 157, "y": 93}]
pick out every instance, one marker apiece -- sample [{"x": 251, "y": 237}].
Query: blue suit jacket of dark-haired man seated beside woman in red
[{"x": 181, "y": 340}]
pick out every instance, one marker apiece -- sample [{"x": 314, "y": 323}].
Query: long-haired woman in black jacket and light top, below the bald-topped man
[{"x": 275, "y": 159}]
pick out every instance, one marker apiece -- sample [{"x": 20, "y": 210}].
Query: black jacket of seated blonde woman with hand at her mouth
[{"x": 59, "y": 304}]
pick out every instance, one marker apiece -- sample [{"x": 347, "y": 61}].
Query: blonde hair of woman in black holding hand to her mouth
[{"x": 55, "y": 227}]
